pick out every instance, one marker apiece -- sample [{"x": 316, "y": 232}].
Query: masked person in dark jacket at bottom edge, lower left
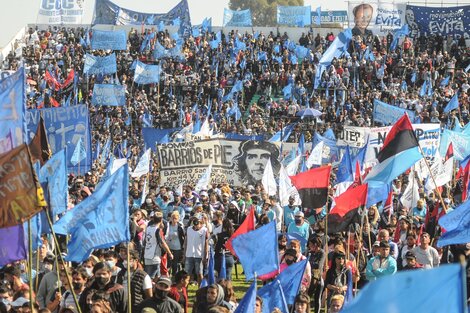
[{"x": 102, "y": 283}]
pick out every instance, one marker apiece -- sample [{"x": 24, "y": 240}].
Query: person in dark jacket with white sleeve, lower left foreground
[{"x": 141, "y": 283}]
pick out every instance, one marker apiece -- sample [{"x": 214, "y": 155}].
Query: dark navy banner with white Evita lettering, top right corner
[{"x": 427, "y": 21}]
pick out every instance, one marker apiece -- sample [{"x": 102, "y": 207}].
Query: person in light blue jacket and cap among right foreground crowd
[{"x": 382, "y": 265}]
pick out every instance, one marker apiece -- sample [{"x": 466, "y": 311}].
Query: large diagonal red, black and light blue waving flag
[{"x": 399, "y": 152}]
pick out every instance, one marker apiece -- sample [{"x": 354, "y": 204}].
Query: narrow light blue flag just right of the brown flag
[{"x": 54, "y": 175}]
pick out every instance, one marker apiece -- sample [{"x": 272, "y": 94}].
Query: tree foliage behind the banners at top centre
[{"x": 263, "y": 12}]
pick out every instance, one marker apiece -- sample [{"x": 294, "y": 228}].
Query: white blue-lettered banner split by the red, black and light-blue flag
[{"x": 428, "y": 137}]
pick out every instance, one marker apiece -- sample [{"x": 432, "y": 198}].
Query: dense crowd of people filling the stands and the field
[{"x": 174, "y": 231}]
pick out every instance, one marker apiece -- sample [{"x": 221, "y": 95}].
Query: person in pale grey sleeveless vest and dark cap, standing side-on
[{"x": 155, "y": 245}]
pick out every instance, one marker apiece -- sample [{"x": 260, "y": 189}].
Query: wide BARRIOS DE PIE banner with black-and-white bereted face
[{"x": 235, "y": 162}]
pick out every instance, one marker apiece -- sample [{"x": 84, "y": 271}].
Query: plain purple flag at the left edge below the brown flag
[{"x": 12, "y": 241}]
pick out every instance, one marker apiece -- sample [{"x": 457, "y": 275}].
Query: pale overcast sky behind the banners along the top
[{"x": 19, "y": 13}]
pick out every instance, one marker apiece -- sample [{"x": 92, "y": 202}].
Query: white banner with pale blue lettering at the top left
[{"x": 55, "y": 12}]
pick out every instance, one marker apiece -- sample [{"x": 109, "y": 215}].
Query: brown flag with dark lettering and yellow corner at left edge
[{"x": 21, "y": 195}]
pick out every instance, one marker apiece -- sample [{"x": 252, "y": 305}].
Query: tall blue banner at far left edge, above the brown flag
[{"x": 12, "y": 107}]
